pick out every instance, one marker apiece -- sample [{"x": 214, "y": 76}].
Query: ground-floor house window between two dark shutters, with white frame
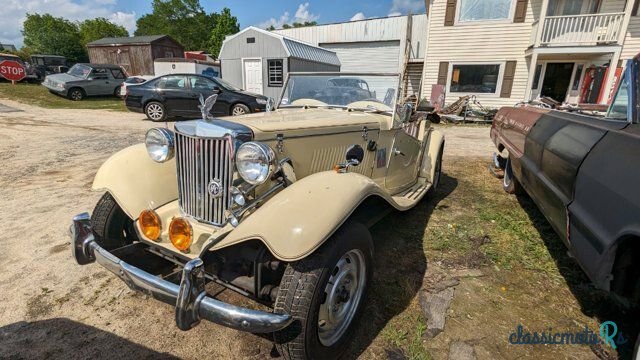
[{"x": 475, "y": 78}]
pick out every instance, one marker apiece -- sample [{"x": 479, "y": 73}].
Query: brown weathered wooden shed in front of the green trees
[{"x": 136, "y": 54}]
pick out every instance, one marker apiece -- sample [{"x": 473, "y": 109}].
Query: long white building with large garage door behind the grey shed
[{"x": 372, "y": 45}]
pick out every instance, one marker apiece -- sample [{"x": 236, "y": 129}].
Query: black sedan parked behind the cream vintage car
[{"x": 178, "y": 95}]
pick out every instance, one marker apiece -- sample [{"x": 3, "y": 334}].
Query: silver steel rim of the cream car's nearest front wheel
[{"x": 343, "y": 294}]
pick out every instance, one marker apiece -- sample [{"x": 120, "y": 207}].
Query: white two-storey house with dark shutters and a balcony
[{"x": 507, "y": 51}]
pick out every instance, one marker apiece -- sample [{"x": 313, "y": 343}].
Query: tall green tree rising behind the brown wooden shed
[{"x": 184, "y": 20}]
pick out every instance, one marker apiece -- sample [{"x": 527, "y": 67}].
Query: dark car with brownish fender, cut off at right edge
[{"x": 582, "y": 173}]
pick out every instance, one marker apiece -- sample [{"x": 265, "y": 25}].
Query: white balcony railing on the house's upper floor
[{"x": 588, "y": 29}]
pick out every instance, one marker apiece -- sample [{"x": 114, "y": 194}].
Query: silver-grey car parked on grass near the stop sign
[{"x": 84, "y": 80}]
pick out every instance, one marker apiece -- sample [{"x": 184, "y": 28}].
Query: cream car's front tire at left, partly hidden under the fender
[{"x": 112, "y": 227}]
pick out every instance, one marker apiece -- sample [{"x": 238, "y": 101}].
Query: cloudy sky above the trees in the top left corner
[{"x": 14, "y": 13}]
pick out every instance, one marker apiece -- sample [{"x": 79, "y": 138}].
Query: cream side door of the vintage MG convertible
[{"x": 402, "y": 171}]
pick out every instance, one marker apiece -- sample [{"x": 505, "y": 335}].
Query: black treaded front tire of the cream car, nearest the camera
[{"x": 303, "y": 288}]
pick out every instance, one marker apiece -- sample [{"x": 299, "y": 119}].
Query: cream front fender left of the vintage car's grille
[{"x": 136, "y": 182}]
